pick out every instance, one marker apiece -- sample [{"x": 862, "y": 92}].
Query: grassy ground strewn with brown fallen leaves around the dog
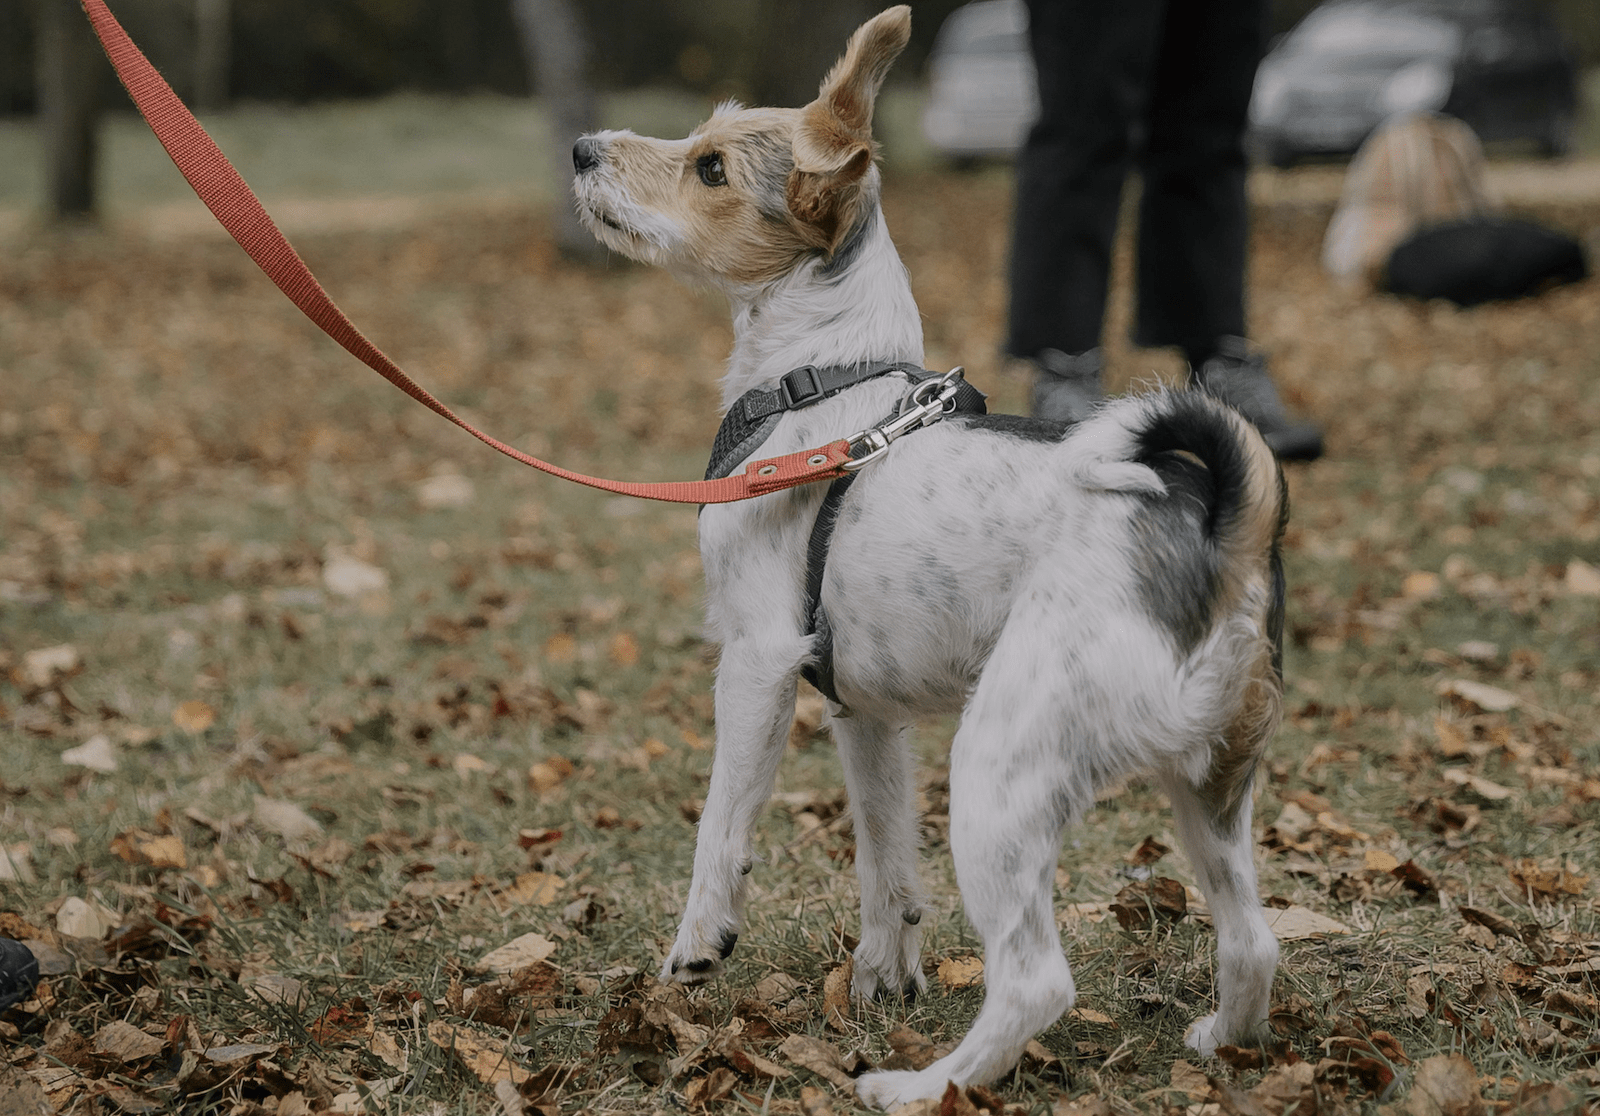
[{"x": 346, "y": 767}]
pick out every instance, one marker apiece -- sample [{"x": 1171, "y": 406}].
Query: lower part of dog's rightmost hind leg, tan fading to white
[{"x": 1218, "y": 843}]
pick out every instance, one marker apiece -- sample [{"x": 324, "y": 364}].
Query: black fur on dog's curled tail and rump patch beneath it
[{"x": 1177, "y": 552}]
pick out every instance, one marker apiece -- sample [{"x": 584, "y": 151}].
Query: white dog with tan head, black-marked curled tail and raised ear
[{"x": 1095, "y": 600}]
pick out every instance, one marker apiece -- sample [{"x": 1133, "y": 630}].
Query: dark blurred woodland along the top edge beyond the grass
[{"x": 767, "y": 52}]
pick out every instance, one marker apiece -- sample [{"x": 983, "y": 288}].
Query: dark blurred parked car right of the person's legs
[{"x": 1498, "y": 65}]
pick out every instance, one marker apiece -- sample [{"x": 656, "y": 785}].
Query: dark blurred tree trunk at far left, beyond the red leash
[{"x": 68, "y": 71}]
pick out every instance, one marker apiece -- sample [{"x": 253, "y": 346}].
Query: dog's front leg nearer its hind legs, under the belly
[{"x": 882, "y": 803}]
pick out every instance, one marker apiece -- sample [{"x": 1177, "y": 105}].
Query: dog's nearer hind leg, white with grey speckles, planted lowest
[{"x": 1010, "y": 797}]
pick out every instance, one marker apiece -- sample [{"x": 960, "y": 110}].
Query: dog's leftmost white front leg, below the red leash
[{"x": 756, "y": 701}]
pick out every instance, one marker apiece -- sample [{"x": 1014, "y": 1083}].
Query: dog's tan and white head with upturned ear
[{"x": 751, "y": 193}]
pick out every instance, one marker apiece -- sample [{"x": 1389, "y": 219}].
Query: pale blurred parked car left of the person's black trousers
[{"x": 982, "y": 92}]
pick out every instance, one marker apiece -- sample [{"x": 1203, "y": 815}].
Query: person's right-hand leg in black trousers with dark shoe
[{"x": 1194, "y": 212}]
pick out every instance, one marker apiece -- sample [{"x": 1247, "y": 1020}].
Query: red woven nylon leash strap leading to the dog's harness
[{"x": 236, "y": 205}]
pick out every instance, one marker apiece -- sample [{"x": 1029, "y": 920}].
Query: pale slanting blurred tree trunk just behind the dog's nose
[{"x": 558, "y": 57}]
